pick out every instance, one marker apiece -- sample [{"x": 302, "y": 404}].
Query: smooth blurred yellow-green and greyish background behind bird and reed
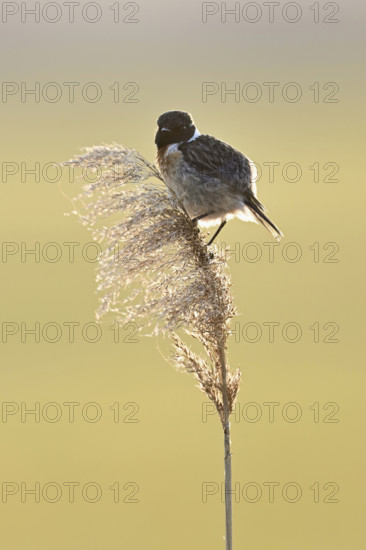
[{"x": 120, "y": 450}]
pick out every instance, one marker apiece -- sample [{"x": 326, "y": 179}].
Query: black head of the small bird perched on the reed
[{"x": 174, "y": 127}]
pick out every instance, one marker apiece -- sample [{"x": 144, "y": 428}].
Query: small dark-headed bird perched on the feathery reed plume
[{"x": 214, "y": 181}]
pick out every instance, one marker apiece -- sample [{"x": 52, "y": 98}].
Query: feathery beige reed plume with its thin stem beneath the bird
[{"x": 151, "y": 246}]
